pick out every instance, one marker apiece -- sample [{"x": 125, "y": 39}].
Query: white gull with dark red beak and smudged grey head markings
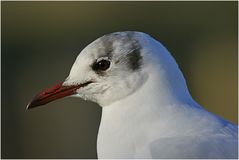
[{"x": 147, "y": 110}]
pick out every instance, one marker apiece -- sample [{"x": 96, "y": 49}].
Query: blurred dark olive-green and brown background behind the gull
[{"x": 40, "y": 41}]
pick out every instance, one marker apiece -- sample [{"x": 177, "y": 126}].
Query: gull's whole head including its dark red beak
[{"x": 113, "y": 67}]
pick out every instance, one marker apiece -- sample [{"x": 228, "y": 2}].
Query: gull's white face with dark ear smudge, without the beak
[{"x": 111, "y": 66}]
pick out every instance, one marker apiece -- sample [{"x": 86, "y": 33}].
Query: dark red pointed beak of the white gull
[{"x": 56, "y": 92}]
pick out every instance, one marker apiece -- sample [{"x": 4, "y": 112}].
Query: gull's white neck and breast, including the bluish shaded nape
[{"x": 155, "y": 110}]
